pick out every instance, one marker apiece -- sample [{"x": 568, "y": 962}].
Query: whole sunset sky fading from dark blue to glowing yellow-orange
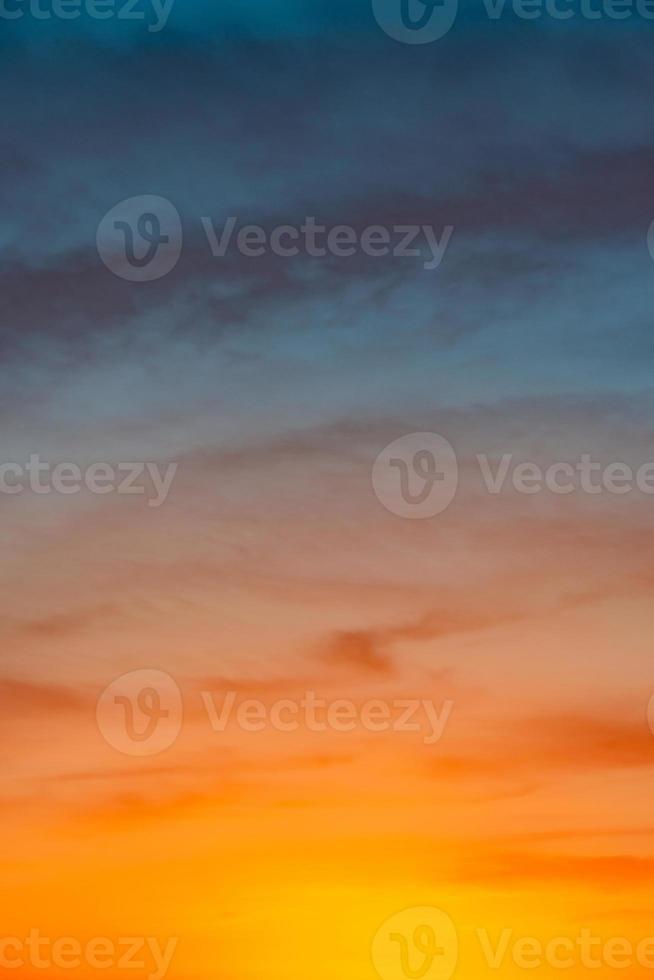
[{"x": 272, "y": 568}]
